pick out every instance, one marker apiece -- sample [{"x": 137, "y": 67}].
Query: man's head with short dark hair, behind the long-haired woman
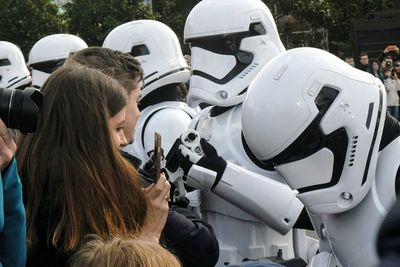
[{"x": 125, "y": 69}]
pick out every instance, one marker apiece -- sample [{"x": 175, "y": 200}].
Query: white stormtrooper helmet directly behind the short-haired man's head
[{"x": 156, "y": 47}]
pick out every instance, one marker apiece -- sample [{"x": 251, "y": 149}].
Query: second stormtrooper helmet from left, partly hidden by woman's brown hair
[{"x": 49, "y": 53}]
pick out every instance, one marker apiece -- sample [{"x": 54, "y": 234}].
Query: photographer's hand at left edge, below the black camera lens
[{"x": 7, "y": 146}]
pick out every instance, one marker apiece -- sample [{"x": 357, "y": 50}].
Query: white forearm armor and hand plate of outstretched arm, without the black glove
[{"x": 272, "y": 202}]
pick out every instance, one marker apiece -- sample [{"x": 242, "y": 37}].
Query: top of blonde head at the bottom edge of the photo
[{"x": 122, "y": 251}]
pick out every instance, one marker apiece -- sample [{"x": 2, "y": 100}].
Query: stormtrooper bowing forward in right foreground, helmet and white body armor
[{"x": 332, "y": 141}]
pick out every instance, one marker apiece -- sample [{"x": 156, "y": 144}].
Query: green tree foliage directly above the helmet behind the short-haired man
[{"x": 93, "y": 20}]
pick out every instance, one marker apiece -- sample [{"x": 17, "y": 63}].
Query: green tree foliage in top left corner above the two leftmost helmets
[{"x": 24, "y": 22}]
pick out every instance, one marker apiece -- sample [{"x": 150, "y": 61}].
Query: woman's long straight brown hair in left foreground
[{"x": 71, "y": 166}]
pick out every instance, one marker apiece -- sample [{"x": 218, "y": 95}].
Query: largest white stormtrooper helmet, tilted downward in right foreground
[{"x": 319, "y": 122}]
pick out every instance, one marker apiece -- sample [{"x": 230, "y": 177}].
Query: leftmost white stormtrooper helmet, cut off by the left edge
[{"x": 13, "y": 70}]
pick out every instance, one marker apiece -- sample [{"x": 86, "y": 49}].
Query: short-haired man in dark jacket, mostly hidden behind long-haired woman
[{"x": 184, "y": 234}]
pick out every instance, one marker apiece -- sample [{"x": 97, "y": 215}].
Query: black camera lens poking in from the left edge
[{"x": 19, "y": 109}]
